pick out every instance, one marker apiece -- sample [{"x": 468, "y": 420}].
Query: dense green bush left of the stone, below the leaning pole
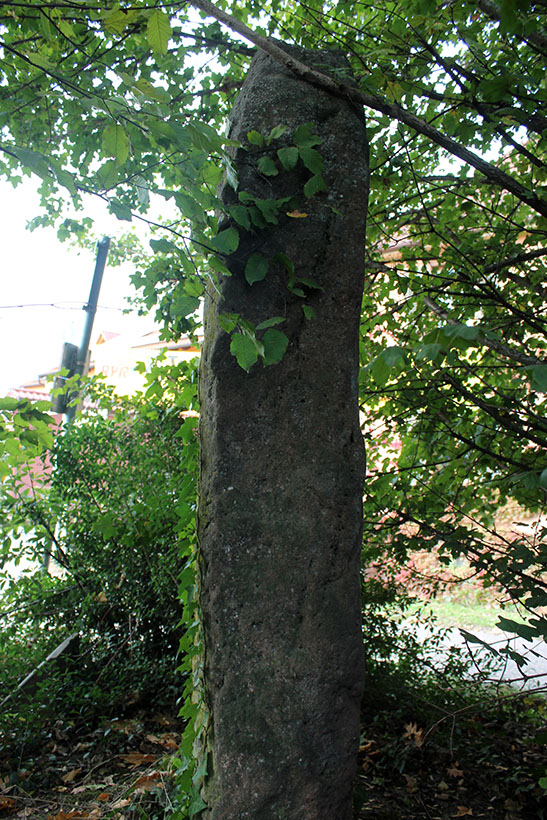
[{"x": 112, "y": 505}]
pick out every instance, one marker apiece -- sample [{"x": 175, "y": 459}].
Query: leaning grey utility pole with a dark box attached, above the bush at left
[{"x": 75, "y": 359}]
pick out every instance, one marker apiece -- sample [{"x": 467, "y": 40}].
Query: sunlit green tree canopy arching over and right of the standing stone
[{"x": 127, "y": 103}]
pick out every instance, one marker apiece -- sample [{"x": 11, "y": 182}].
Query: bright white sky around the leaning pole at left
[{"x": 35, "y": 268}]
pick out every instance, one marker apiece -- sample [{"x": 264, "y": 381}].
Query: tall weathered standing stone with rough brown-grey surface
[{"x": 282, "y": 468}]
